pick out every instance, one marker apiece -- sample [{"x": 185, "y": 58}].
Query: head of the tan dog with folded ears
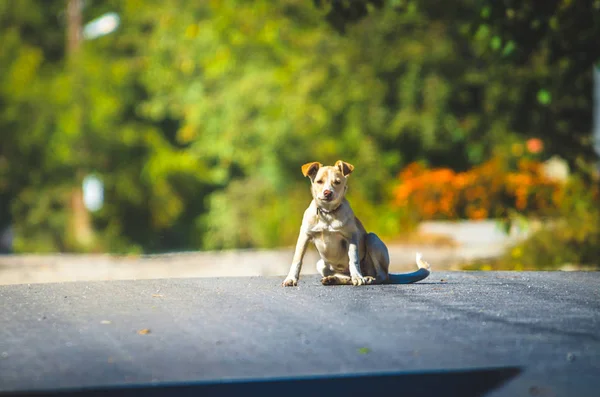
[{"x": 328, "y": 184}]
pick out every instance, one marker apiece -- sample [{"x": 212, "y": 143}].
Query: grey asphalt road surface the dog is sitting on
[{"x": 538, "y": 332}]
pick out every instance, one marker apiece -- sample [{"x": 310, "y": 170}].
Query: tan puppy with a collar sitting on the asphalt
[{"x": 349, "y": 255}]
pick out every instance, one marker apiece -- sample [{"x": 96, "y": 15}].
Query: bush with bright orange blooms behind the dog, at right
[{"x": 490, "y": 190}]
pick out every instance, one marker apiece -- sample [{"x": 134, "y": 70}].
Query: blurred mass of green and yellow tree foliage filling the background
[{"x": 198, "y": 115}]
